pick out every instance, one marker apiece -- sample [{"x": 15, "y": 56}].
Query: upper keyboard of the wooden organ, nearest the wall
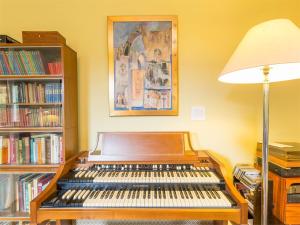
[{"x": 168, "y": 173}]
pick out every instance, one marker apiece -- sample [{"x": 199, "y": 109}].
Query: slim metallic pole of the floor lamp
[{"x": 265, "y": 152}]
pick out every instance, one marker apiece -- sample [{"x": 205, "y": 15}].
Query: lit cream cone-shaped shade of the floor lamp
[{"x": 274, "y": 43}]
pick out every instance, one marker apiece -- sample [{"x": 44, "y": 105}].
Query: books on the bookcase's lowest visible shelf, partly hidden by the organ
[{"x": 28, "y": 187}]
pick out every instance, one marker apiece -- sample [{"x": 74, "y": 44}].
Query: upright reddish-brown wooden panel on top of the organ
[{"x": 142, "y": 143}]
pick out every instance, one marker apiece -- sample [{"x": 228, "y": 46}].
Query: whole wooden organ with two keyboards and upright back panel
[{"x": 141, "y": 176}]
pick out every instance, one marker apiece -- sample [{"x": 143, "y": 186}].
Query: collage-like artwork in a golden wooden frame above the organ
[{"x": 143, "y": 65}]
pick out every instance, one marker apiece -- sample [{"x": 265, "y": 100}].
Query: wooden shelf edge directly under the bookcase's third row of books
[{"x": 30, "y": 129}]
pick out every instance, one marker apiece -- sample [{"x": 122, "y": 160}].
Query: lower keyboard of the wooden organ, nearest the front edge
[{"x": 179, "y": 196}]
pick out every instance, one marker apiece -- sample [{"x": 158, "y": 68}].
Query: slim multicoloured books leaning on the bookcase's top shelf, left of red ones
[{"x": 21, "y": 62}]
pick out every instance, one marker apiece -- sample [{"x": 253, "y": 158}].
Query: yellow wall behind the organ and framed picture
[{"x": 209, "y": 31}]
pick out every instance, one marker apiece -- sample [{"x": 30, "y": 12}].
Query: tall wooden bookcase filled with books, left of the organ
[{"x": 38, "y": 121}]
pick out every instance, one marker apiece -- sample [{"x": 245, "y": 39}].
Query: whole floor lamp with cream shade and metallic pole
[{"x": 269, "y": 52}]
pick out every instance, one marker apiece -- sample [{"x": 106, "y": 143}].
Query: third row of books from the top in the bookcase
[{"x": 22, "y": 116}]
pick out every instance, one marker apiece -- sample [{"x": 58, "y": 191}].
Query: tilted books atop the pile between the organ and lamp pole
[{"x": 247, "y": 175}]
